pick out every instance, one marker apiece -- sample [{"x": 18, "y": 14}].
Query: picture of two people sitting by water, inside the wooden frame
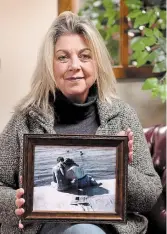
[{"x": 74, "y": 178}]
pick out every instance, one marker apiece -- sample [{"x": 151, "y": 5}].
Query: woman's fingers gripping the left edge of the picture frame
[{"x": 19, "y": 202}]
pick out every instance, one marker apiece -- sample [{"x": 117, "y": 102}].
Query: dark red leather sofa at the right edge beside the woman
[{"x": 156, "y": 139}]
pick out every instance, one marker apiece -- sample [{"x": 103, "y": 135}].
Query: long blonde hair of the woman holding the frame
[{"x": 44, "y": 84}]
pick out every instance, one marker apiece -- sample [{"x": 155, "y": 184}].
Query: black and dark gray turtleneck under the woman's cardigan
[{"x": 74, "y": 118}]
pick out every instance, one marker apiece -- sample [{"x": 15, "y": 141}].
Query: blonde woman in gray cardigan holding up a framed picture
[{"x": 74, "y": 91}]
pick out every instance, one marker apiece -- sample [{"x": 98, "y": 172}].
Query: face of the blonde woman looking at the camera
[{"x": 74, "y": 67}]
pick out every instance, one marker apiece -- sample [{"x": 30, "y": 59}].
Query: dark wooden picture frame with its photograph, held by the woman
[{"x": 75, "y": 178}]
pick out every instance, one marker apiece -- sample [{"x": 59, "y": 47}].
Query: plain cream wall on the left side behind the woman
[{"x": 23, "y": 25}]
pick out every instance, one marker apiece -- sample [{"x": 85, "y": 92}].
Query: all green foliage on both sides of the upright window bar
[{"x": 148, "y": 44}]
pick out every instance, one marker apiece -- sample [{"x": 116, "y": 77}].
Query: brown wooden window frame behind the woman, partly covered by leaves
[{"x": 124, "y": 70}]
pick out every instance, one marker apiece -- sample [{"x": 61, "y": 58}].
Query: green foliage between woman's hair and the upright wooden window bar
[{"x": 105, "y": 15}]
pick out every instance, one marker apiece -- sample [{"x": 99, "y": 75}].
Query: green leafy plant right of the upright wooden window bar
[{"x": 150, "y": 46}]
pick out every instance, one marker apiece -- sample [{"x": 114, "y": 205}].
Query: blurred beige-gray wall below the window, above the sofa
[{"x": 150, "y": 110}]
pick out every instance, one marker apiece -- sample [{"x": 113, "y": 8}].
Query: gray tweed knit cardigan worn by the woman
[{"x": 144, "y": 185}]
